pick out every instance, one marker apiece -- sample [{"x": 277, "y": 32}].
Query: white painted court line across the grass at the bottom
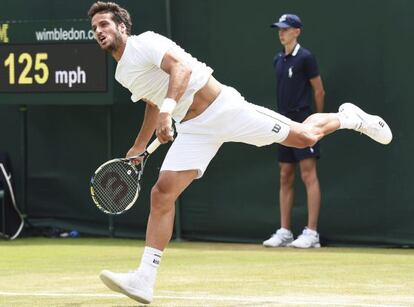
[{"x": 281, "y": 300}]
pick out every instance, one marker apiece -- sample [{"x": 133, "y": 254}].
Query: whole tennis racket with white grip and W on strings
[{"x": 115, "y": 185}]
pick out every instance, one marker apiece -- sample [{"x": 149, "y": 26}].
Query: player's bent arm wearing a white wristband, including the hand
[{"x": 180, "y": 74}]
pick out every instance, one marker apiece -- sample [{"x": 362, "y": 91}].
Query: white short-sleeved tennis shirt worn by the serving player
[{"x": 139, "y": 71}]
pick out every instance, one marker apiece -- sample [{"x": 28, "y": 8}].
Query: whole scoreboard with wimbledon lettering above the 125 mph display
[{"x": 59, "y": 63}]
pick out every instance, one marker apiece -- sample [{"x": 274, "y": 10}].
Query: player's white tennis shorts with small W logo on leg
[{"x": 230, "y": 118}]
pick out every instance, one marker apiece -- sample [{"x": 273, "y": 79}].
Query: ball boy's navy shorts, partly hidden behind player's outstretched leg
[{"x": 292, "y": 155}]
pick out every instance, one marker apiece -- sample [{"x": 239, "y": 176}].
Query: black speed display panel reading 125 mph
[{"x": 46, "y": 68}]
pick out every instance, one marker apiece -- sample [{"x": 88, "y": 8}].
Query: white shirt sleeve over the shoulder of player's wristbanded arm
[{"x": 154, "y": 46}]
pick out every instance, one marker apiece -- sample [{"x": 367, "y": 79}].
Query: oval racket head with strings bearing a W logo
[{"x": 116, "y": 186}]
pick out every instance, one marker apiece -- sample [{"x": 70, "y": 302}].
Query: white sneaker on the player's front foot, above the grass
[{"x": 131, "y": 284}]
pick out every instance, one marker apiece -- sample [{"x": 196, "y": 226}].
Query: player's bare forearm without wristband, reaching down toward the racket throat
[{"x": 147, "y": 129}]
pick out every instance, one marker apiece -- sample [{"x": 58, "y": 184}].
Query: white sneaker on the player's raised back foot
[{"x": 371, "y": 125}]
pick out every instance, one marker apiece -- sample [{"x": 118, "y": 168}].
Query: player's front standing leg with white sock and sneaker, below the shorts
[{"x": 139, "y": 284}]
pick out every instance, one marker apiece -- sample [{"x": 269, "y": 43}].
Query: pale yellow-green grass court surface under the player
[{"x": 64, "y": 272}]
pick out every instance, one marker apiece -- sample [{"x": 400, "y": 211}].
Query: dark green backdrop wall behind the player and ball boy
[{"x": 362, "y": 49}]
